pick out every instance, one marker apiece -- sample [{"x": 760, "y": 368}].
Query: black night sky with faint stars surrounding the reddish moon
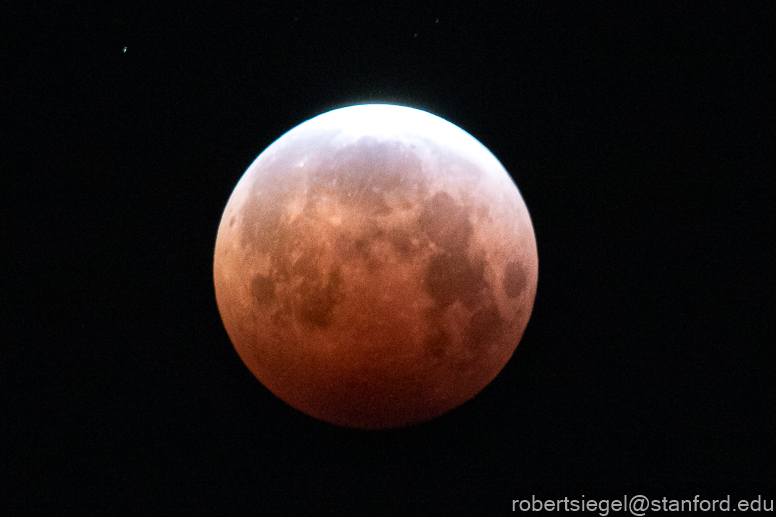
[{"x": 640, "y": 138}]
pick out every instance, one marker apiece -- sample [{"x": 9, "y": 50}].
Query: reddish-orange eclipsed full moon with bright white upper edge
[{"x": 375, "y": 267}]
